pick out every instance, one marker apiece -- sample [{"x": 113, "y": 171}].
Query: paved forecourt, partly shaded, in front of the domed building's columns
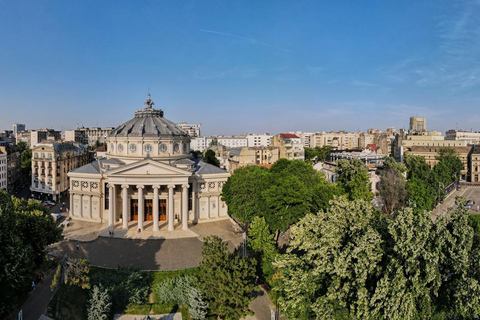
[{"x": 147, "y": 250}]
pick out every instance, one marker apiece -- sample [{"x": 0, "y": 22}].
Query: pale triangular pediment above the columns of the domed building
[{"x": 147, "y": 168}]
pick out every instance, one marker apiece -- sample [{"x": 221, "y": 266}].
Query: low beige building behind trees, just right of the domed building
[{"x": 260, "y": 156}]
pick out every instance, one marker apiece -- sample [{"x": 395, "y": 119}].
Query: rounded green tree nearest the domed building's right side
[{"x": 243, "y": 193}]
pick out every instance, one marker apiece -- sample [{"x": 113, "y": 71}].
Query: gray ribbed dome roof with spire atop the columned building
[{"x": 148, "y": 122}]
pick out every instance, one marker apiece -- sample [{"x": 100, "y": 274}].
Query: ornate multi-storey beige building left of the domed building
[{"x": 51, "y": 161}]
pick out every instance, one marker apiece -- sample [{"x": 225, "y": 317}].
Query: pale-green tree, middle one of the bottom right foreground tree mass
[{"x": 411, "y": 276}]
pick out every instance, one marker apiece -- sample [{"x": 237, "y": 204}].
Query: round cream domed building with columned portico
[{"x": 148, "y": 175}]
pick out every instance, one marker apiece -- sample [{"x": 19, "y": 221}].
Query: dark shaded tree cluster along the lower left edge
[{"x": 26, "y": 229}]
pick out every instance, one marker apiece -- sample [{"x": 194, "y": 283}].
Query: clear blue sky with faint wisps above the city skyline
[{"x": 241, "y": 66}]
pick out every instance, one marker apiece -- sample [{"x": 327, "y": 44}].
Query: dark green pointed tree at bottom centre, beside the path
[{"x": 226, "y": 281}]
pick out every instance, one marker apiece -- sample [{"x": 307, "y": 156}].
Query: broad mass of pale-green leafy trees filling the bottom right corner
[{"x": 349, "y": 262}]
